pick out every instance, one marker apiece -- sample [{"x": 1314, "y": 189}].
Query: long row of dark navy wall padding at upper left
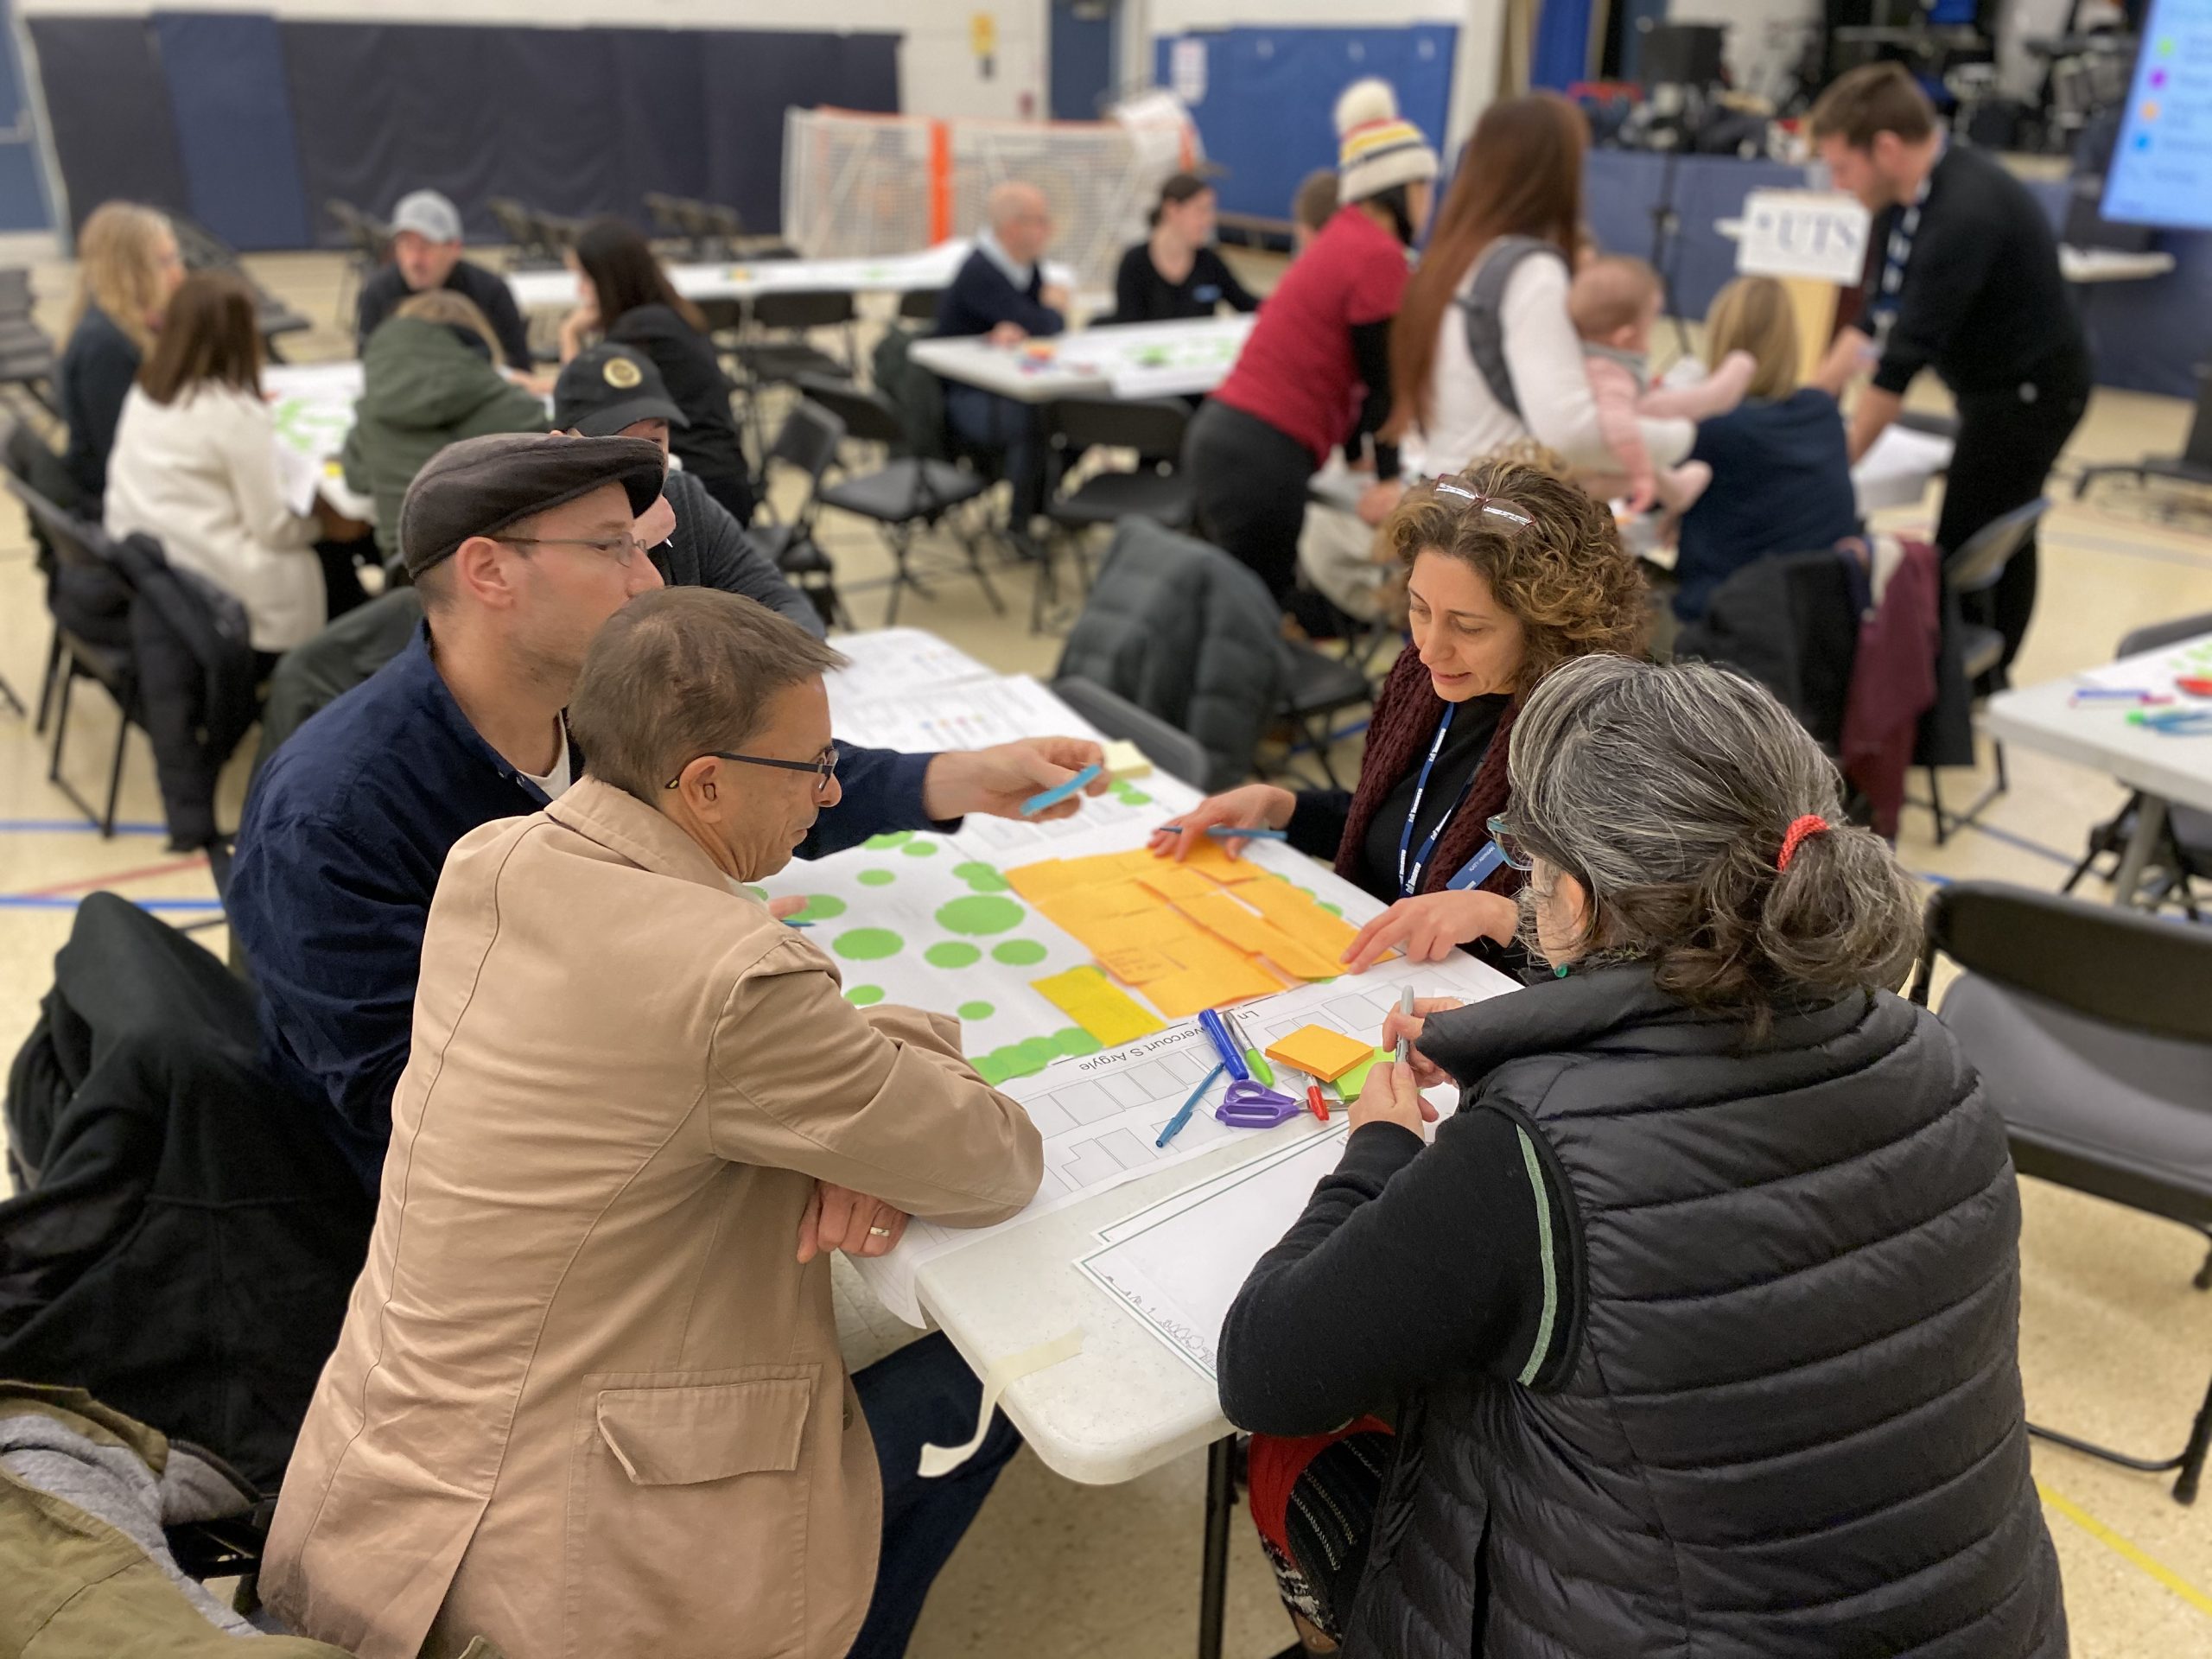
[{"x": 251, "y": 125}]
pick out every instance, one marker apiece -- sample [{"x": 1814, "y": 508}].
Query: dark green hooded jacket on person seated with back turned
[{"x": 426, "y": 388}]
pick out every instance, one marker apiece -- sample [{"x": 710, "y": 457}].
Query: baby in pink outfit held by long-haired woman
[{"x": 1616, "y": 304}]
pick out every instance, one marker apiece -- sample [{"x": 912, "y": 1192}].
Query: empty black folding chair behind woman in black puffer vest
[{"x": 2094, "y": 1036}]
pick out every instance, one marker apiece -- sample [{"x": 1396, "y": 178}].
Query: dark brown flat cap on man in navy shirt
[{"x": 483, "y": 486}]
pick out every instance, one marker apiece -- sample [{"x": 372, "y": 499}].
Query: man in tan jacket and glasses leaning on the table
[{"x": 589, "y": 1399}]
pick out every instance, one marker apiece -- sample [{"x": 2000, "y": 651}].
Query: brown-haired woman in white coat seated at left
[{"x": 196, "y": 468}]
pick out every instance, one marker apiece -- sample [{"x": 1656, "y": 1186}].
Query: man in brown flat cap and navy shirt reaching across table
[{"x": 521, "y": 547}]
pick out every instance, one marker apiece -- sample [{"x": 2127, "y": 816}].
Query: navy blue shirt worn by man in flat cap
[{"x": 340, "y": 855}]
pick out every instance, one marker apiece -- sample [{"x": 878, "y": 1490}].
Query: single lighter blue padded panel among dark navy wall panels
[{"x": 233, "y": 127}]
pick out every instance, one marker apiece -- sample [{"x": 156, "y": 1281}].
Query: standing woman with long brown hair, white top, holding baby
[{"x": 1519, "y": 185}]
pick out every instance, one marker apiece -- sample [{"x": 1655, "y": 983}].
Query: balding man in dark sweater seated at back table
[{"x": 1001, "y": 291}]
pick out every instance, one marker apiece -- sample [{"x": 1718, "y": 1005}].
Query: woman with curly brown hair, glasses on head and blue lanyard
[{"x": 1510, "y": 574}]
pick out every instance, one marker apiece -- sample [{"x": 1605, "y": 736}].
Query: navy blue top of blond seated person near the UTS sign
[{"x": 1782, "y": 483}]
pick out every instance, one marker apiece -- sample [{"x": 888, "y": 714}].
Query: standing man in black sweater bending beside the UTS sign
[{"x": 1965, "y": 280}]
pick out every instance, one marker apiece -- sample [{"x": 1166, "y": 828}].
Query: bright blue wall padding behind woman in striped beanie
[{"x": 1271, "y": 98}]
